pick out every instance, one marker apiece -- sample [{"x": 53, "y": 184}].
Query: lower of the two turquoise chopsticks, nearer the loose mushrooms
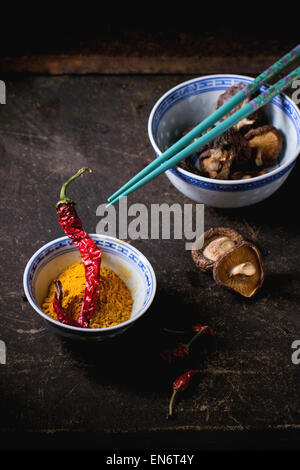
[{"x": 243, "y": 112}]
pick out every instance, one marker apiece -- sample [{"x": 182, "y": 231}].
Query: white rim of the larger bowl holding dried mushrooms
[{"x": 213, "y": 181}]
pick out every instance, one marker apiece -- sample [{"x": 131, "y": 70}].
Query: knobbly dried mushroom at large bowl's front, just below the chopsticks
[{"x": 227, "y": 150}]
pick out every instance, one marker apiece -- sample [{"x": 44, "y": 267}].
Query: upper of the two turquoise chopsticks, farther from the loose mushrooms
[{"x": 249, "y": 89}]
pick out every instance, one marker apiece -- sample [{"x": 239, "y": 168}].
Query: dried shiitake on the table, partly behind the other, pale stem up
[{"x": 217, "y": 241}]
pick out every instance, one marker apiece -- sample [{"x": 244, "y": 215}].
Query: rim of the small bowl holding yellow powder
[{"x": 76, "y": 328}]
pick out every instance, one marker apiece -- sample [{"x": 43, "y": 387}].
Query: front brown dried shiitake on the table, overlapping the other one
[{"x": 240, "y": 269}]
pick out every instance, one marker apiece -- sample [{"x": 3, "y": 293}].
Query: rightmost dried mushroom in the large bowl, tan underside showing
[{"x": 267, "y": 142}]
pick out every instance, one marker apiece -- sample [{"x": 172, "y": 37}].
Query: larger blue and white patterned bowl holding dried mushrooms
[{"x": 190, "y": 102}]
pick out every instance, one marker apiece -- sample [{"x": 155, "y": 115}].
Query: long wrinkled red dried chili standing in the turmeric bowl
[{"x": 90, "y": 253}]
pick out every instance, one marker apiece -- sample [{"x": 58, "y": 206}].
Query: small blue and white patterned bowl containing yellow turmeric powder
[{"x": 126, "y": 261}]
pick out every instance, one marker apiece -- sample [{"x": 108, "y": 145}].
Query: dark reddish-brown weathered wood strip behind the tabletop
[{"x": 155, "y": 49}]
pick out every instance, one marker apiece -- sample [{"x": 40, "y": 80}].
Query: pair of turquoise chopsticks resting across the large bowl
[{"x": 178, "y": 152}]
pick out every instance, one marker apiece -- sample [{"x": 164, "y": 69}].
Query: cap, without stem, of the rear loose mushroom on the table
[{"x": 204, "y": 263}]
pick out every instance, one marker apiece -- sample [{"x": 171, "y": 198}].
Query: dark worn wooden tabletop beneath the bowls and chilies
[{"x": 55, "y": 393}]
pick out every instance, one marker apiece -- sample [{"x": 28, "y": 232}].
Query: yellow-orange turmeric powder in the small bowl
[{"x": 114, "y": 304}]
